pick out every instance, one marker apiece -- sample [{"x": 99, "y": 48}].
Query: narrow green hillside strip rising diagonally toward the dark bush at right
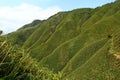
[{"x": 82, "y": 56}]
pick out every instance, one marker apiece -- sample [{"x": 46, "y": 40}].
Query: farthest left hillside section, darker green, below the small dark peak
[{"x": 21, "y": 35}]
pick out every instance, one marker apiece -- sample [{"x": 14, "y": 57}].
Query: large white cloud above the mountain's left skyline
[{"x": 11, "y": 18}]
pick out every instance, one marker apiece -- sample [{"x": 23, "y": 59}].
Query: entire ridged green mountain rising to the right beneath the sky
[{"x": 82, "y": 44}]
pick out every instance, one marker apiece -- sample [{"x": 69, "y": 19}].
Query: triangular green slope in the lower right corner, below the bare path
[{"x": 101, "y": 66}]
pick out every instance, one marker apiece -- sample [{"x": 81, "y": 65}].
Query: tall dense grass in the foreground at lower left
[{"x": 15, "y": 64}]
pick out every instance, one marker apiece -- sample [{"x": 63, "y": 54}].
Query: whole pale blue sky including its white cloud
[{"x": 16, "y": 13}]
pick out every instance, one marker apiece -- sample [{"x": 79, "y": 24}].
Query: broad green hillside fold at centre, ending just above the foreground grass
[{"x": 63, "y": 53}]
